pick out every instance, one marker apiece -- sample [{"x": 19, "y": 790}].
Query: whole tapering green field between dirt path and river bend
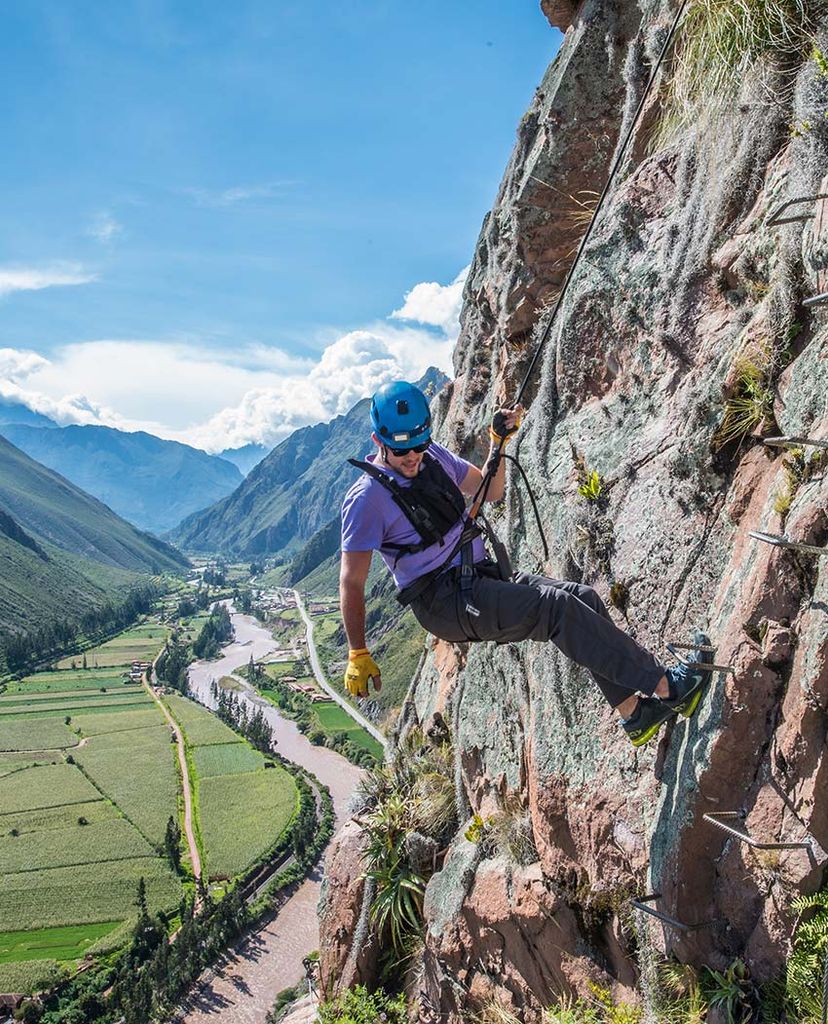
[{"x": 242, "y": 807}]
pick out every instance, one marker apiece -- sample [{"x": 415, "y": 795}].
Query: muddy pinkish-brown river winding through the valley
[{"x": 242, "y": 990}]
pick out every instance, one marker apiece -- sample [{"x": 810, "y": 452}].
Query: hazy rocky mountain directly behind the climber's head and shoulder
[{"x": 292, "y": 494}]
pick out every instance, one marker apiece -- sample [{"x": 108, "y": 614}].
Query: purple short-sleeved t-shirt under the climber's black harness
[{"x": 371, "y": 519}]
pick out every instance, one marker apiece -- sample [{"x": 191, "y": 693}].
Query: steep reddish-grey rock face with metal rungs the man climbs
[{"x": 688, "y": 302}]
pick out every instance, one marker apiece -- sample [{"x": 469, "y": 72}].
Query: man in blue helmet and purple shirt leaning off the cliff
[{"x": 410, "y": 505}]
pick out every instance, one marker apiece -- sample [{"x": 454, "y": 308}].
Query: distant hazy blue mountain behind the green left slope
[{"x": 151, "y": 483}]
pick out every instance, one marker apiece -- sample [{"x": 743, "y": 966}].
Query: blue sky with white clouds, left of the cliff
[{"x": 228, "y": 191}]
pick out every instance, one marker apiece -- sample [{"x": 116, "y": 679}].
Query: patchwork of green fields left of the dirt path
[{"x": 89, "y": 781}]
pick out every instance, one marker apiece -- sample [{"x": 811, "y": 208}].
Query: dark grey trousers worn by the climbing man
[{"x": 533, "y": 608}]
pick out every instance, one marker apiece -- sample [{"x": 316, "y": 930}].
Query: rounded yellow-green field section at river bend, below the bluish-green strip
[{"x": 242, "y": 817}]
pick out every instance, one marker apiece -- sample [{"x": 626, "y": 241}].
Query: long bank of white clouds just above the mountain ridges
[{"x": 219, "y": 400}]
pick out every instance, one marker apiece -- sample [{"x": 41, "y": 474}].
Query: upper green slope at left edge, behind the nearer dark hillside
[{"x": 53, "y": 511}]
